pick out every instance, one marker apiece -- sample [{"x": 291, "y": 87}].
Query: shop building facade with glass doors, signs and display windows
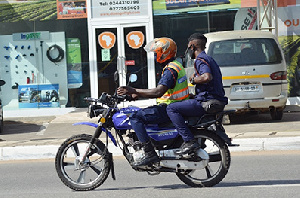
[{"x": 53, "y": 53}]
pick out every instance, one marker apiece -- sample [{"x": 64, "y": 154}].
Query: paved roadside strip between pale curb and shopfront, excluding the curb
[{"x": 34, "y": 129}]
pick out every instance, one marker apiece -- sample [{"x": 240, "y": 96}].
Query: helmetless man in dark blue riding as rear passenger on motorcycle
[{"x": 210, "y": 95}]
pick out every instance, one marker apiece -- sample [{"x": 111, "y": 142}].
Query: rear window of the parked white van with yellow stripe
[{"x": 238, "y": 52}]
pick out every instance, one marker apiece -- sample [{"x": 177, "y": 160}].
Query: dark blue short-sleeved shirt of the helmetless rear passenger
[{"x": 213, "y": 89}]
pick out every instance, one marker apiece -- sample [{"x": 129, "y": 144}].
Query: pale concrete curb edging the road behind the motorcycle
[{"x": 246, "y": 144}]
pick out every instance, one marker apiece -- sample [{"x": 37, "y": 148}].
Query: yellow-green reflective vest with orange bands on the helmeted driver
[{"x": 180, "y": 91}]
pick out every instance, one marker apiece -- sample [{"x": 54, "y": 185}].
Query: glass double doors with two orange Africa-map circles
[{"x": 120, "y": 48}]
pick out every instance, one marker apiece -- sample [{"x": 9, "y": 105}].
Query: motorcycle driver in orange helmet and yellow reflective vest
[{"x": 172, "y": 87}]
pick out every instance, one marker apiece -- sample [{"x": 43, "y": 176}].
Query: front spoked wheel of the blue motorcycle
[{"x": 82, "y": 175}]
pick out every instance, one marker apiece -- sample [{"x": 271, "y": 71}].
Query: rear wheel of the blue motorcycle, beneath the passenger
[{"x": 217, "y": 167}]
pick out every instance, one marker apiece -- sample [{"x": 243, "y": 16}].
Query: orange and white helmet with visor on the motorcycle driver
[{"x": 165, "y": 48}]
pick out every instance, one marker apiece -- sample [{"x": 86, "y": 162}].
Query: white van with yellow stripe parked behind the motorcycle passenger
[{"x": 253, "y": 69}]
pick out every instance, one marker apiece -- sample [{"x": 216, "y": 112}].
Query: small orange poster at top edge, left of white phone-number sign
[{"x": 71, "y": 9}]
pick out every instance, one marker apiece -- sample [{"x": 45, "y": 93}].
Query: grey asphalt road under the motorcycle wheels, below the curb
[{"x": 252, "y": 174}]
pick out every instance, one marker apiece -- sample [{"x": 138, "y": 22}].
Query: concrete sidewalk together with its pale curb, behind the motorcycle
[{"x": 36, "y": 134}]
